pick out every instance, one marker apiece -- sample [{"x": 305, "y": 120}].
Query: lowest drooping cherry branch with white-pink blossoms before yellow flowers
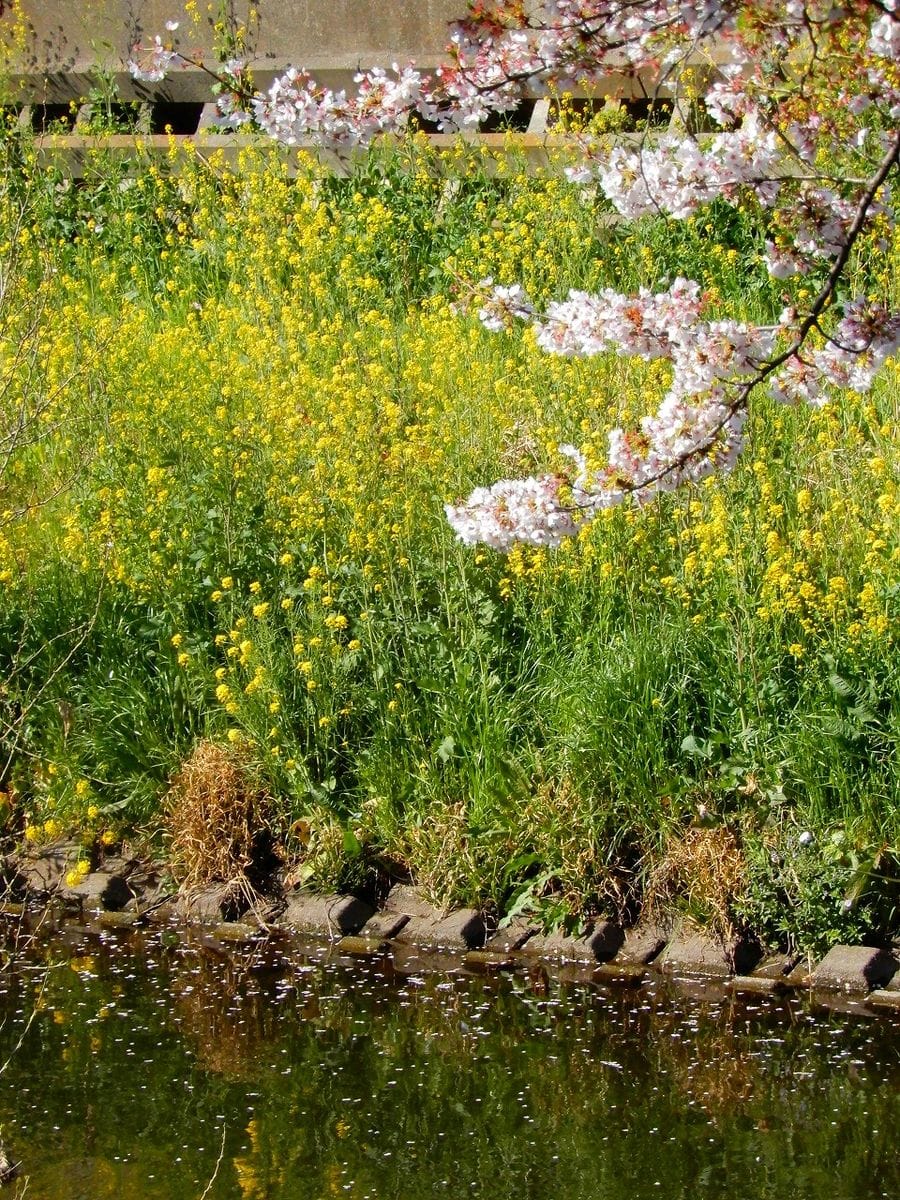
[{"x": 699, "y": 427}]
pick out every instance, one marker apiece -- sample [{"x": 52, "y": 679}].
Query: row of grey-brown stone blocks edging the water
[{"x": 127, "y": 892}]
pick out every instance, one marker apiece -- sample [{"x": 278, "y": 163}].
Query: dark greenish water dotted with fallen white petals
[{"x": 160, "y": 1066}]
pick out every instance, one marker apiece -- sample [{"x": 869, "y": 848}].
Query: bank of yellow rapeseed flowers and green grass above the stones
[{"x": 236, "y": 400}]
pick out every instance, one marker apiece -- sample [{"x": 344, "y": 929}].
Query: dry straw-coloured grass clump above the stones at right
[{"x": 704, "y": 873}]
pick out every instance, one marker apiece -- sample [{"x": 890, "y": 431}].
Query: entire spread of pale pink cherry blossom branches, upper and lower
[{"x": 771, "y": 146}]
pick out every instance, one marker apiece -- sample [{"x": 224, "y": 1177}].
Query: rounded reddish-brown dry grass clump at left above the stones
[{"x": 218, "y": 819}]
